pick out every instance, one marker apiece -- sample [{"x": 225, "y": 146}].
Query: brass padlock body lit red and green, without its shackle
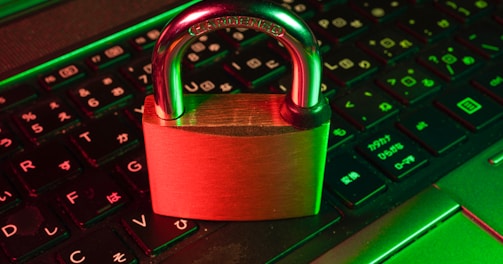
[{"x": 215, "y": 162}]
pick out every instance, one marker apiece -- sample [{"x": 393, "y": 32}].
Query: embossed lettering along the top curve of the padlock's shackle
[{"x": 237, "y": 21}]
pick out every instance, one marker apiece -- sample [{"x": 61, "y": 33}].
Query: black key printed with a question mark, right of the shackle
[{"x": 408, "y": 83}]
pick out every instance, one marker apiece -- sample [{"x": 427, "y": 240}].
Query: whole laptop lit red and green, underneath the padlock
[{"x": 434, "y": 189}]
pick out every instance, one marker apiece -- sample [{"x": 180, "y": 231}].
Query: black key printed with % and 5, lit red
[{"x": 46, "y": 118}]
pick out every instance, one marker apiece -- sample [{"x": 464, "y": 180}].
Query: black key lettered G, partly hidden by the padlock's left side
[{"x": 134, "y": 169}]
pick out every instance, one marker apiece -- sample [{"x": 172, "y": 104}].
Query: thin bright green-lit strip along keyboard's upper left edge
[{"x": 147, "y": 24}]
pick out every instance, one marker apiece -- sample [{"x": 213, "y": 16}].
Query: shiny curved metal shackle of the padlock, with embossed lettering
[{"x": 304, "y": 106}]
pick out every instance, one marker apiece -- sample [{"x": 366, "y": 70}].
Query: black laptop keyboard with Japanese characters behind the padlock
[{"x": 415, "y": 88}]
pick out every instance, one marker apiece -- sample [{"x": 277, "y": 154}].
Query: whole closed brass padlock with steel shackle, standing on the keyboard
[{"x": 236, "y": 156}]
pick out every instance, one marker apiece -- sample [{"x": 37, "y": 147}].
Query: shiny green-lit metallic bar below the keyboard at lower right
[{"x": 394, "y": 230}]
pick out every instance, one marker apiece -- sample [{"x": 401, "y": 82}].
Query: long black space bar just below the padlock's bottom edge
[{"x": 256, "y": 242}]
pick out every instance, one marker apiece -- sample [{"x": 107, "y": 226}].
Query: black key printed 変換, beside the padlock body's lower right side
[{"x": 349, "y": 179}]
